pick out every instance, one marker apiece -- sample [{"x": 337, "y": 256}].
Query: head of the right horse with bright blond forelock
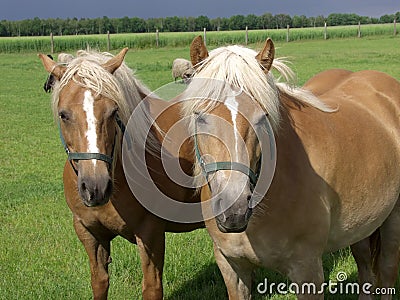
[{"x": 228, "y": 126}]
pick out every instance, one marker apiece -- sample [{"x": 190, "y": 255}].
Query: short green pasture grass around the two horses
[{"x": 40, "y": 256}]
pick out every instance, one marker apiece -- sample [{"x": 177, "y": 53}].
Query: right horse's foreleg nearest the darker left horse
[{"x": 237, "y": 276}]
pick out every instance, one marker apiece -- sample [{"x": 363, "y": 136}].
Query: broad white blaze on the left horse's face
[{"x": 91, "y": 135}]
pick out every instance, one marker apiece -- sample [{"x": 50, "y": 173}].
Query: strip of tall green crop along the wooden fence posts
[{"x": 110, "y": 41}]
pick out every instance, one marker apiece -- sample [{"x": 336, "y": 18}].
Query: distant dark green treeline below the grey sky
[{"x": 42, "y": 27}]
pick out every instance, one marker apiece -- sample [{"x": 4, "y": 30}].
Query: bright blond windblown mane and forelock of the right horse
[{"x": 236, "y": 68}]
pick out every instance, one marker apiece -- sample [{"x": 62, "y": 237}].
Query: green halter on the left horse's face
[{"x": 76, "y": 156}]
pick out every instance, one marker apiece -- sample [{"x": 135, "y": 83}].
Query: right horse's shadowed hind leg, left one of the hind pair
[{"x": 362, "y": 254}]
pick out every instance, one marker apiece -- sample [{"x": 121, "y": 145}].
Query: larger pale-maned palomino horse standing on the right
[{"x": 337, "y": 176}]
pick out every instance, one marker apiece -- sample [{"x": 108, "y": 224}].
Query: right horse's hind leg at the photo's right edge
[{"x": 387, "y": 263}]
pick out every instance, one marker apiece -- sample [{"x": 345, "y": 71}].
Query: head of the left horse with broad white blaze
[{"x": 88, "y": 121}]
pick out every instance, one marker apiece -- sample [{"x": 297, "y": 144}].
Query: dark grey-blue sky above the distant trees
[{"x": 28, "y": 9}]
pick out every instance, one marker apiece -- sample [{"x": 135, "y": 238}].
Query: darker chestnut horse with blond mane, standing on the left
[{"x": 92, "y": 99}]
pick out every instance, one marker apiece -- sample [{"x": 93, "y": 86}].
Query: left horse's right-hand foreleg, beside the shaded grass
[{"x": 151, "y": 245}]
